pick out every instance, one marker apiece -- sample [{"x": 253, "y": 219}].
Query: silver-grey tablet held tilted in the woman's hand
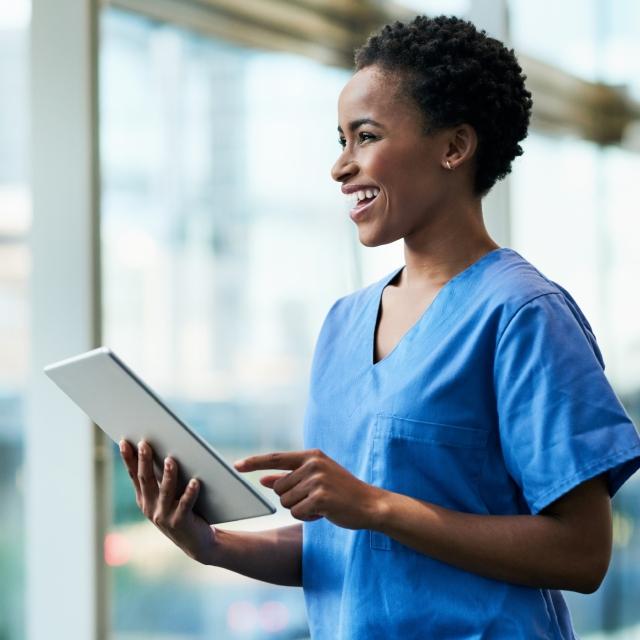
[{"x": 123, "y": 406}]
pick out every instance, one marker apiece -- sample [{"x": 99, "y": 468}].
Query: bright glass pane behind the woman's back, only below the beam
[{"x": 581, "y": 230}]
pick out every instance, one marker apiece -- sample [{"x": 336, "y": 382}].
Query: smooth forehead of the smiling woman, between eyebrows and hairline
[{"x": 372, "y": 93}]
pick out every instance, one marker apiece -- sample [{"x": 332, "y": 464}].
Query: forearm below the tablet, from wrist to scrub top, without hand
[{"x": 271, "y": 556}]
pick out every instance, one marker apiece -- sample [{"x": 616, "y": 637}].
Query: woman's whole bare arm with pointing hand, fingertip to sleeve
[{"x": 567, "y": 546}]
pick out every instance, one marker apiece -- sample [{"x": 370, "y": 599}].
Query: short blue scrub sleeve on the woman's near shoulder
[{"x": 560, "y": 421}]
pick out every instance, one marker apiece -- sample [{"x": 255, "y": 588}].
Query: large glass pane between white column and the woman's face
[{"x": 225, "y": 242}]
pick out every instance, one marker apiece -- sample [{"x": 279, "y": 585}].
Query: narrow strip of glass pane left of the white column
[{"x": 15, "y": 215}]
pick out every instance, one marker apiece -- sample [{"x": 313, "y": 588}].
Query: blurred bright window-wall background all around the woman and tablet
[{"x": 165, "y": 190}]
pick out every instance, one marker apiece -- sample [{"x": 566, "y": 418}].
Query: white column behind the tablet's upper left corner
[{"x": 65, "y": 586}]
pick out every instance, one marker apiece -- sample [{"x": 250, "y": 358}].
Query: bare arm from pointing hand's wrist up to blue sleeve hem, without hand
[{"x": 567, "y": 546}]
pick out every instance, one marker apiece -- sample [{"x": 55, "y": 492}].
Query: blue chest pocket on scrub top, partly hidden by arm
[{"x": 431, "y": 461}]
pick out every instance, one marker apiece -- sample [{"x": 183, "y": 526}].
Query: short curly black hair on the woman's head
[{"x": 457, "y": 74}]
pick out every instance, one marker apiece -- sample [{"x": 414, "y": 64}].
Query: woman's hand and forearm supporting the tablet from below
[{"x": 273, "y": 556}]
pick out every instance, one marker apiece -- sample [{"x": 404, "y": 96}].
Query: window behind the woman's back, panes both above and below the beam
[{"x": 582, "y": 231}]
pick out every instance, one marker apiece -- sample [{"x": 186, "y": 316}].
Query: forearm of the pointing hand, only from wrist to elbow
[{"x": 538, "y": 551}]
